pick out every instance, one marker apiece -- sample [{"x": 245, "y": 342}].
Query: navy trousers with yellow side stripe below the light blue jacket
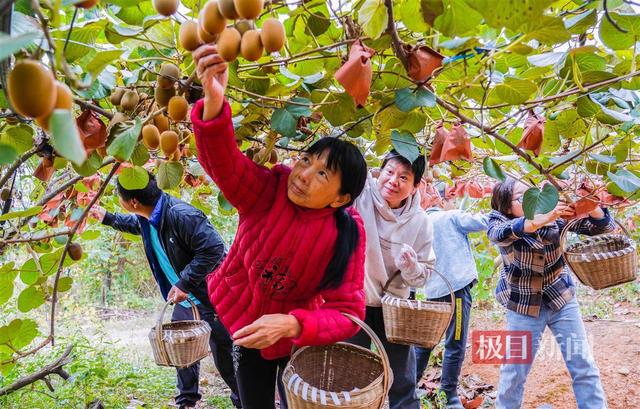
[{"x": 455, "y": 343}]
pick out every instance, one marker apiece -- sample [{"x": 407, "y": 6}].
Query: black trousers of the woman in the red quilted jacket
[{"x": 257, "y": 379}]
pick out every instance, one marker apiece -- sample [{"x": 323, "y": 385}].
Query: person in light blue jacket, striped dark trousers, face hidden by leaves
[{"x": 454, "y": 259}]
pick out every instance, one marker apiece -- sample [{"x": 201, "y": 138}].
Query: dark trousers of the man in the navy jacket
[{"x": 220, "y": 344}]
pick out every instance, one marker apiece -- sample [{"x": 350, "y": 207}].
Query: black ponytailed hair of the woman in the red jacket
[{"x": 344, "y": 157}]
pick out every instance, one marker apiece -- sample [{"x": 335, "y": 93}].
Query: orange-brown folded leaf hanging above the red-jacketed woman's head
[{"x": 355, "y": 75}]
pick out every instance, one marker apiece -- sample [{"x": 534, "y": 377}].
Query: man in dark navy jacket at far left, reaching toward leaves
[{"x": 182, "y": 247}]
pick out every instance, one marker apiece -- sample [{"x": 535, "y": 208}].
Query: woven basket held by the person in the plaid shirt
[{"x": 601, "y": 261}]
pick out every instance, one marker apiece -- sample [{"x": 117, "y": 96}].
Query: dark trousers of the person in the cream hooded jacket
[{"x": 401, "y": 358}]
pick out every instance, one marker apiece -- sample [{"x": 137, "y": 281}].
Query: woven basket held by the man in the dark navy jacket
[{"x": 180, "y": 343}]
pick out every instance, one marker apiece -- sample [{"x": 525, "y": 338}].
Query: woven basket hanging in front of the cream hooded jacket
[{"x": 415, "y": 322}]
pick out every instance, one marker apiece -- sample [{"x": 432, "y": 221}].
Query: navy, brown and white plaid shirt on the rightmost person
[{"x": 533, "y": 269}]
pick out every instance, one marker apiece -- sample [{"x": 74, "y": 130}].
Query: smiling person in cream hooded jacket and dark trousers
[{"x": 399, "y": 237}]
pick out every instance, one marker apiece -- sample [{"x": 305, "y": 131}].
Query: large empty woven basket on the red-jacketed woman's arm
[{"x": 340, "y": 375}]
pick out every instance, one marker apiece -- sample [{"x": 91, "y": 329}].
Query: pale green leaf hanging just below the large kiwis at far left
[{"x": 65, "y": 137}]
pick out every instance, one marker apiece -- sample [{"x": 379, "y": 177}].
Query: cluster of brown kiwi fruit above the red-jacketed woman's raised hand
[{"x": 241, "y": 38}]
